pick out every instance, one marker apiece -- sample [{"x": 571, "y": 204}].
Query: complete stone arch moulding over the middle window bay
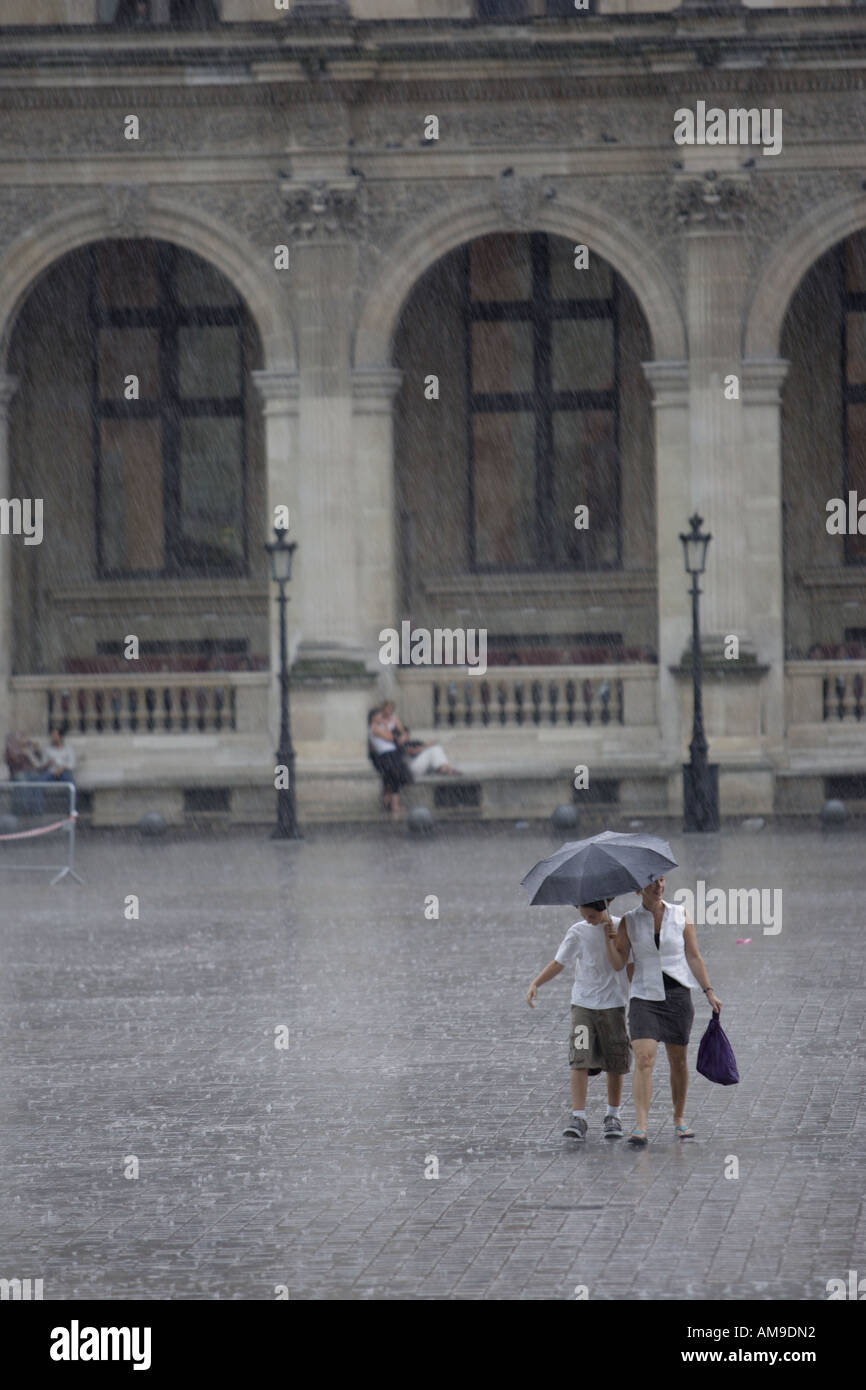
[{"x": 426, "y": 243}]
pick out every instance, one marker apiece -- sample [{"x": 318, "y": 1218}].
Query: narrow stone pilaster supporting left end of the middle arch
[{"x": 373, "y": 394}]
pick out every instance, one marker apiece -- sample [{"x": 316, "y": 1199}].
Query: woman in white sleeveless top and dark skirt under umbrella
[{"x": 668, "y": 965}]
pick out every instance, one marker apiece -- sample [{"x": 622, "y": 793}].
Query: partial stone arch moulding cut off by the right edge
[{"x": 786, "y": 266}]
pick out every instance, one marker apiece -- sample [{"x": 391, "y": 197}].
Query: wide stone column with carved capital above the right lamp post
[{"x": 717, "y": 275}]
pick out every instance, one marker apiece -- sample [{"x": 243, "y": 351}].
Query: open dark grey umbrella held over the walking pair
[{"x": 601, "y": 867}]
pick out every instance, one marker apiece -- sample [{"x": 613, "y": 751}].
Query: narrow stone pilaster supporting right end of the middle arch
[{"x": 669, "y": 383}]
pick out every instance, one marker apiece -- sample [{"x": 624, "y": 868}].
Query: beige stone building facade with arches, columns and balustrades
[{"x": 340, "y": 250}]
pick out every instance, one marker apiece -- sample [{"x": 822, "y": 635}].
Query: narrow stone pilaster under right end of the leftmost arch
[{"x": 280, "y": 393}]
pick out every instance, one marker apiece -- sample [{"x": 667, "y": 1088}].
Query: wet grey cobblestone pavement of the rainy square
[{"x": 409, "y": 1040}]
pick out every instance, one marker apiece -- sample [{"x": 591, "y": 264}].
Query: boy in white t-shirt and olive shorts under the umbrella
[{"x": 598, "y": 1040}]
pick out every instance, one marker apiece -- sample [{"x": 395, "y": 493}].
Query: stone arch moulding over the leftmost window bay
[{"x": 37, "y": 251}]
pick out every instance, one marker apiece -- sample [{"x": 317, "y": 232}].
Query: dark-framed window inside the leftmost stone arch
[{"x": 169, "y": 414}]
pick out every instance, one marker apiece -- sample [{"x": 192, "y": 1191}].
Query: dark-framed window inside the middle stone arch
[{"x": 543, "y": 366}]
